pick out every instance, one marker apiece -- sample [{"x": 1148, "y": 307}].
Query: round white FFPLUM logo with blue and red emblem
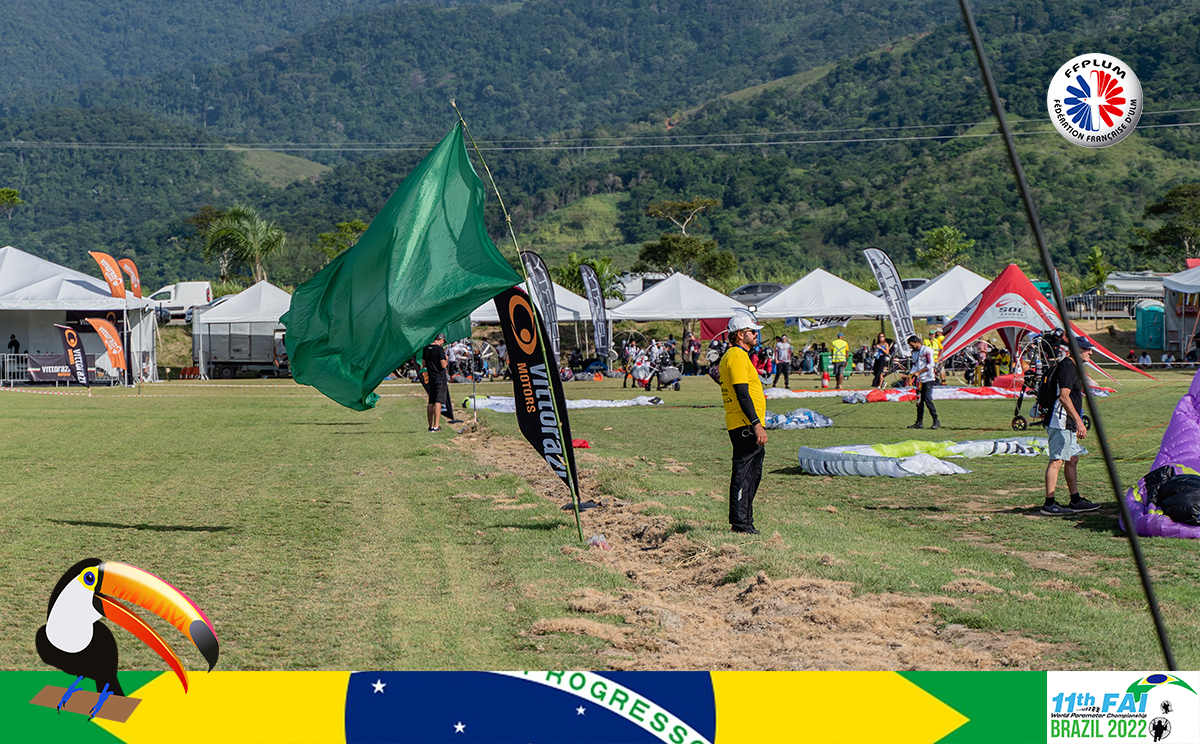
[{"x": 1095, "y": 100}]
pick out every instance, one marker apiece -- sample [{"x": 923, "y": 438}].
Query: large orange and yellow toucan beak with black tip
[{"x": 133, "y": 585}]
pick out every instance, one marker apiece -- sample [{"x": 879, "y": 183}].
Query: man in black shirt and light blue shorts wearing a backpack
[{"x": 1065, "y": 428}]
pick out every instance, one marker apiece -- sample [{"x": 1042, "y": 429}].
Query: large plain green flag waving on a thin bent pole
[{"x": 424, "y": 263}]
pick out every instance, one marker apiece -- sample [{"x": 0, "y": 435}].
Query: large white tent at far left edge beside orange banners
[{"x": 37, "y": 295}]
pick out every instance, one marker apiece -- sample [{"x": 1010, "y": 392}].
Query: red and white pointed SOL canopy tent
[{"x": 1013, "y": 308}]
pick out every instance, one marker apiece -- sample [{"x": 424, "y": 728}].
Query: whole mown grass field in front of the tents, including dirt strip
[{"x": 317, "y": 538}]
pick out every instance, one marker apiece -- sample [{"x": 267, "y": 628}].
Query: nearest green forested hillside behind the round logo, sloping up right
[{"x": 787, "y": 209}]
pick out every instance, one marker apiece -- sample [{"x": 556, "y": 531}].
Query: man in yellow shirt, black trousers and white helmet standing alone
[{"x": 746, "y": 407}]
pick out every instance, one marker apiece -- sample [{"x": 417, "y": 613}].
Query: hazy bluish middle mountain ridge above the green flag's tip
[{"x": 519, "y": 70}]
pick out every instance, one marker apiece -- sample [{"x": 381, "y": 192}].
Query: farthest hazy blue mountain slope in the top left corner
[{"x": 51, "y": 44}]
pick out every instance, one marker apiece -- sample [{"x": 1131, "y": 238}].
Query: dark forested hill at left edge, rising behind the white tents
[{"x": 128, "y": 202}]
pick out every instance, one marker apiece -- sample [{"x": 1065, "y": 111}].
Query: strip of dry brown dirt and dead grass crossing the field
[{"x": 701, "y": 605}]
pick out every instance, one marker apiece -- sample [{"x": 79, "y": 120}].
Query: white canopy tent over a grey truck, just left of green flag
[{"x": 253, "y": 315}]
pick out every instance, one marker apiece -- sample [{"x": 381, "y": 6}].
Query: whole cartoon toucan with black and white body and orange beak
[{"x": 75, "y": 640}]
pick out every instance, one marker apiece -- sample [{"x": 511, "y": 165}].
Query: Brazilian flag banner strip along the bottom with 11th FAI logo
[{"x": 609, "y": 707}]
